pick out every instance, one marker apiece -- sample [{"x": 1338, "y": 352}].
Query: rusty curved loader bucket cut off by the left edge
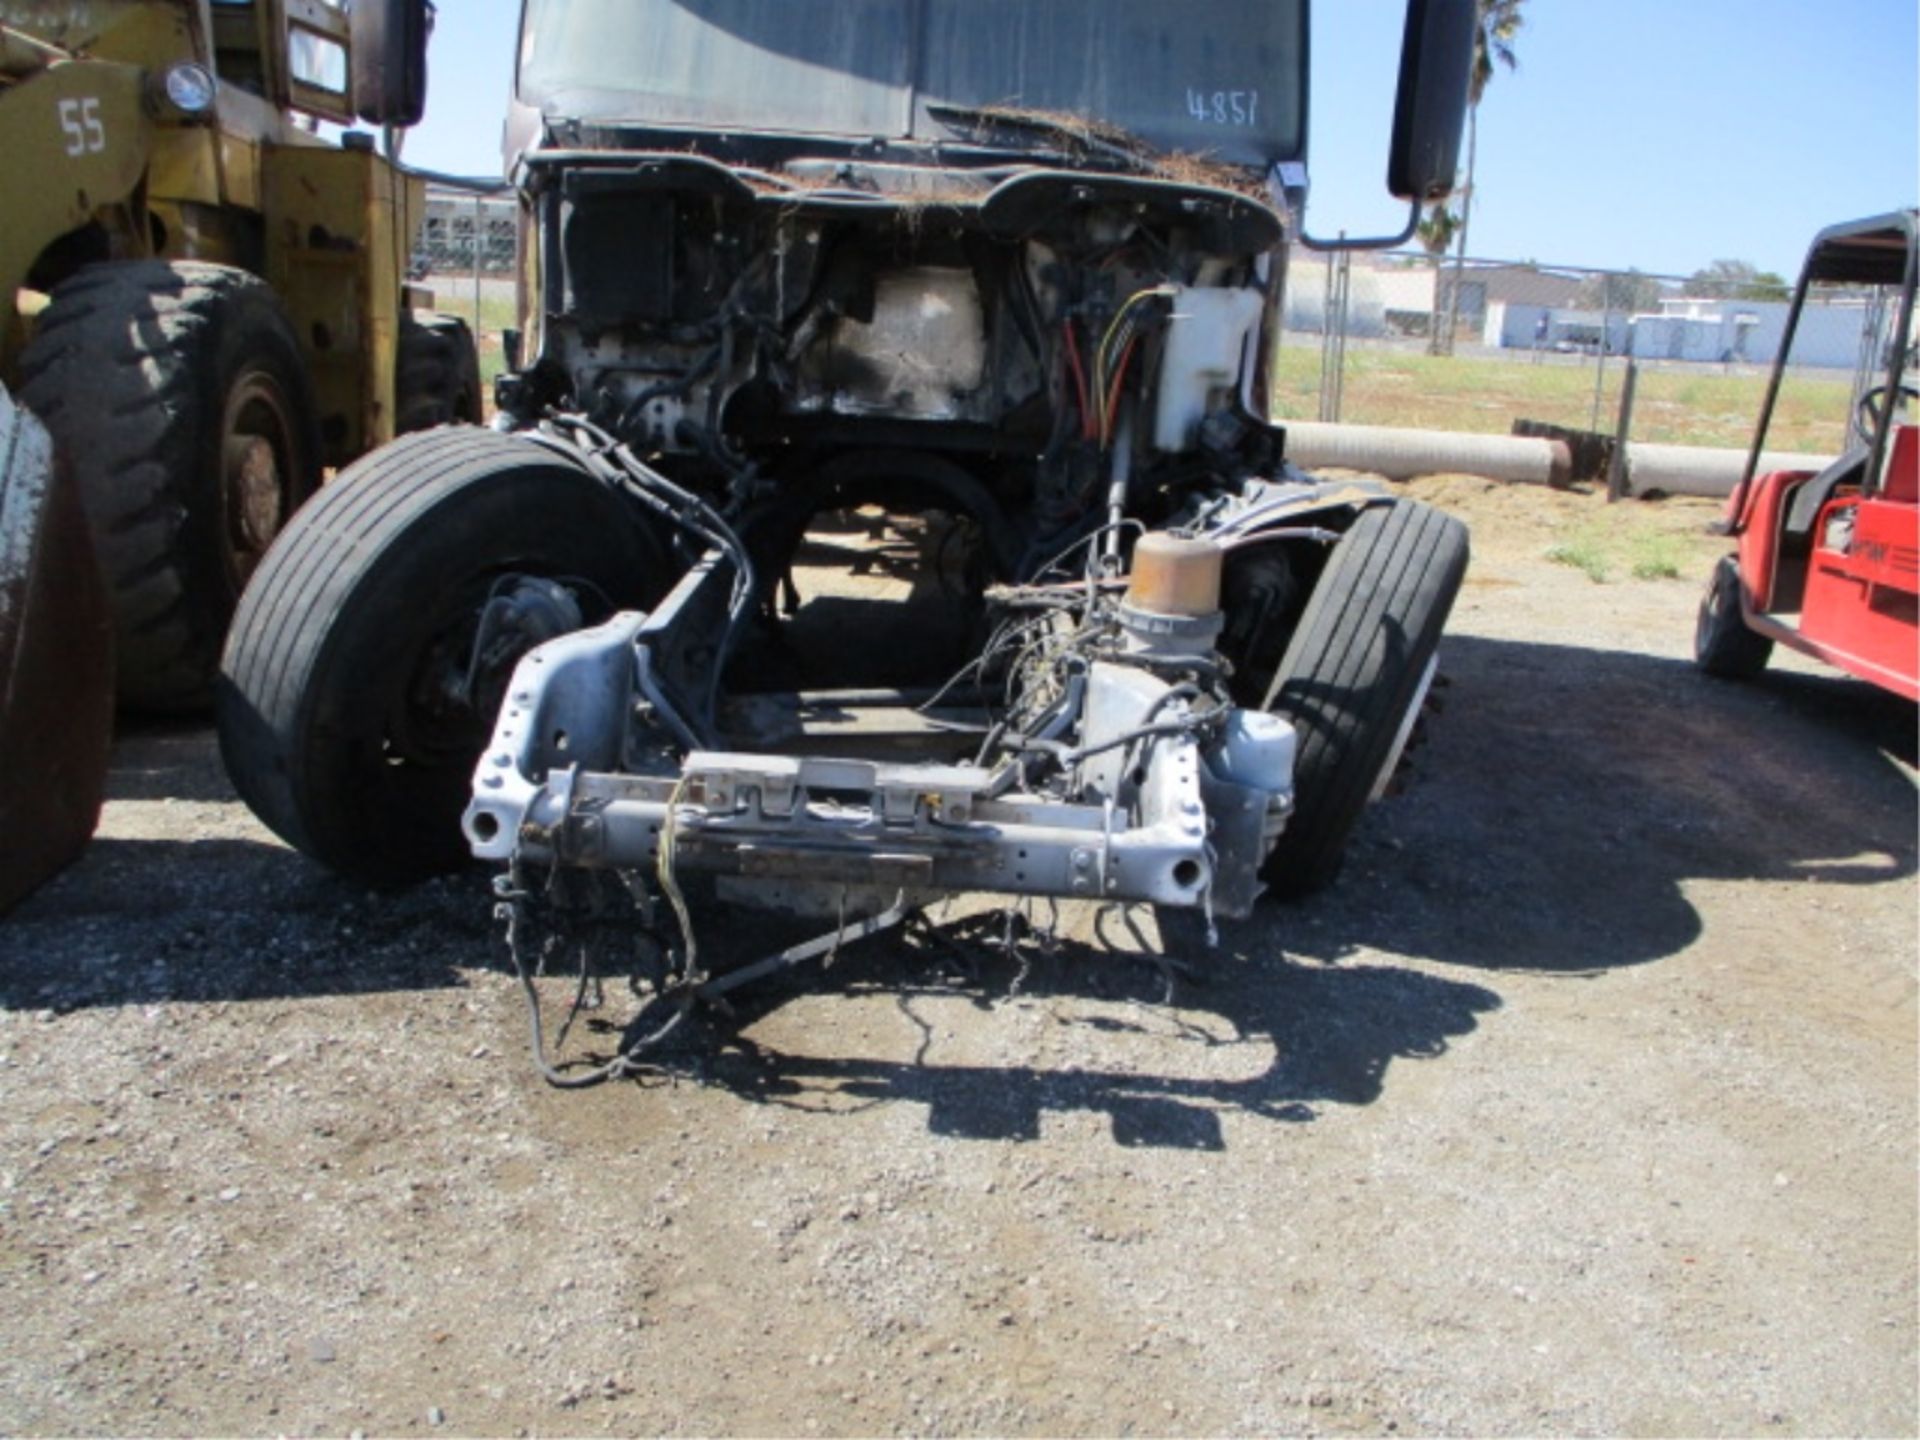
[{"x": 57, "y": 663}]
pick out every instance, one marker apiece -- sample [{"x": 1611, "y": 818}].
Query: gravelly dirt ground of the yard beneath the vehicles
[{"x": 1583, "y": 1105}]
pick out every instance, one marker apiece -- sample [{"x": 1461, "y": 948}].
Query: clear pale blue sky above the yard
[{"x": 1637, "y": 133}]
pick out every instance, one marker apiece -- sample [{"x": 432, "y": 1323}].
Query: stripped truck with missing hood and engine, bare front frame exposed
[{"x": 886, "y": 500}]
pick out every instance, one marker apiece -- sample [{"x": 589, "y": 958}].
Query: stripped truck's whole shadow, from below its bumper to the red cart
[{"x": 1560, "y": 809}]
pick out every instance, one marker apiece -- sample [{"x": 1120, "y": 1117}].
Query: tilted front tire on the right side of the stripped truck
[{"x": 1355, "y": 675}]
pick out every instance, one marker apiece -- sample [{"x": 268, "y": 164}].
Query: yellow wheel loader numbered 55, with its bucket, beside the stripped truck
[{"x": 204, "y": 310}]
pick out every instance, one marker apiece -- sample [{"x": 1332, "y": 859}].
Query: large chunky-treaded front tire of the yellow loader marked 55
[{"x": 181, "y": 400}]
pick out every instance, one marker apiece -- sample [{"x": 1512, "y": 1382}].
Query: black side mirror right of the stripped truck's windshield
[{"x": 1431, "y": 103}]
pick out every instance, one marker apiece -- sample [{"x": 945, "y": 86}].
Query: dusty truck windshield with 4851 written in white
[{"x": 1224, "y": 80}]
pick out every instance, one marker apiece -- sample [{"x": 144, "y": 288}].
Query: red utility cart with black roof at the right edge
[{"x": 1829, "y": 562}]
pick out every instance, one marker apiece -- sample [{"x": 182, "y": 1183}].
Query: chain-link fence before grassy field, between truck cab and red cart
[{"x": 1489, "y": 347}]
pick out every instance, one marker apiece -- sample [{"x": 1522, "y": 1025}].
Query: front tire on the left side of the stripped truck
[{"x": 341, "y": 706}]
